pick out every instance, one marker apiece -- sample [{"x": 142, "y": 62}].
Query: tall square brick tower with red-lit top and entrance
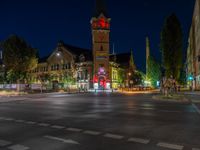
[{"x": 100, "y": 24}]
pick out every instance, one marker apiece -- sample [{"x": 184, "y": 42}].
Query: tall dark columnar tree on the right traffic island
[{"x": 171, "y": 47}]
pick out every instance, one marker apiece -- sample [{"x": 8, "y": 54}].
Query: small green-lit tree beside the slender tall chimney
[{"x": 153, "y": 71}]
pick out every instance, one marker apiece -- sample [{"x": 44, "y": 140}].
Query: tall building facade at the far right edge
[{"x": 193, "y": 51}]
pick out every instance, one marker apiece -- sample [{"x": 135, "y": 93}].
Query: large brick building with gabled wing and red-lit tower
[{"x": 73, "y": 67}]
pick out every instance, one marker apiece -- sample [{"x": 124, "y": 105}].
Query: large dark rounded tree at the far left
[{"x": 19, "y": 58}]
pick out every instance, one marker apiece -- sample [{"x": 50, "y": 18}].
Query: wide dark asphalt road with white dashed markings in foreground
[{"x": 102, "y": 121}]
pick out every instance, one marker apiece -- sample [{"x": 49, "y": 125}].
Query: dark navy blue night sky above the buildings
[{"x": 44, "y": 23}]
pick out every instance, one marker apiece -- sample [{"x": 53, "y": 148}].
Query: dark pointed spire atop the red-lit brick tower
[{"x": 100, "y": 8}]
